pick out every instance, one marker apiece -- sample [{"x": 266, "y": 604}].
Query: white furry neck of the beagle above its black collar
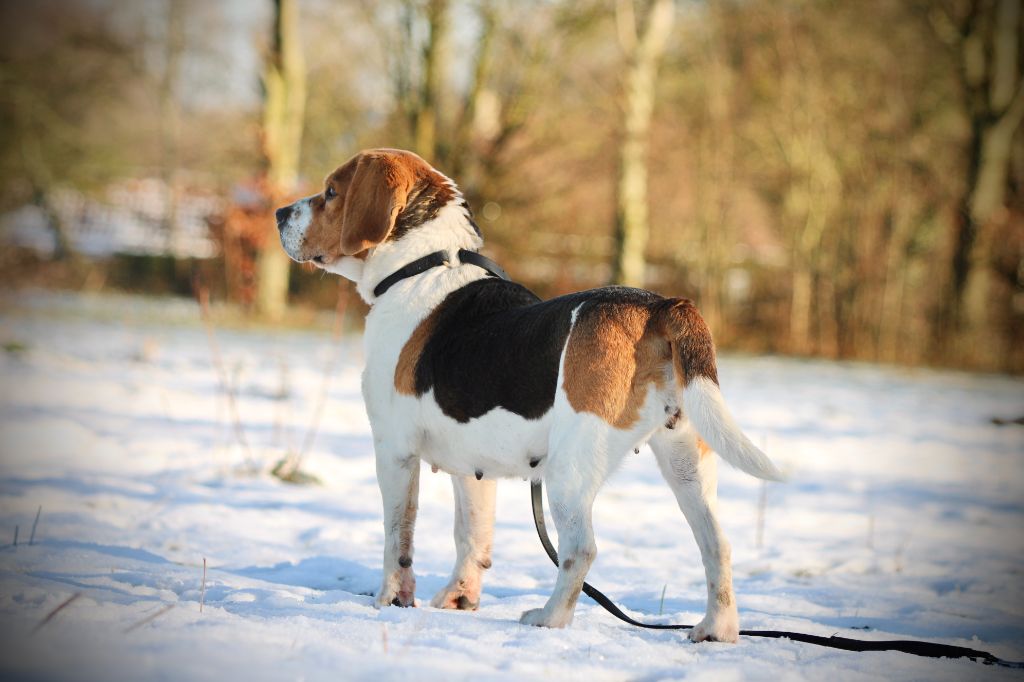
[{"x": 452, "y": 229}]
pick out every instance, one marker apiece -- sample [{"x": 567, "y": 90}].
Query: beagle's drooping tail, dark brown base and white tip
[{"x": 694, "y": 361}]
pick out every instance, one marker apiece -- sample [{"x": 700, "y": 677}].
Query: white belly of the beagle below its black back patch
[{"x": 498, "y": 445}]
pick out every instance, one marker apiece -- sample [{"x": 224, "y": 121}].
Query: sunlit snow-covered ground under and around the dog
[{"x": 905, "y": 519}]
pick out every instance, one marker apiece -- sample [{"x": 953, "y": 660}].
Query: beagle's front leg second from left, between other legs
[{"x": 475, "y": 531}]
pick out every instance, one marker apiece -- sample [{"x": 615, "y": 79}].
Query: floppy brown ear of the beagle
[{"x": 376, "y": 195}]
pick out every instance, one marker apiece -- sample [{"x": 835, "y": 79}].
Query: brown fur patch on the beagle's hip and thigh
[{"x": 615, "y": 354}]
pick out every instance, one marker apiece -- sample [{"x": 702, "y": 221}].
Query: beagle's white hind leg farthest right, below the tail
[{"x": 691, "y": 470}]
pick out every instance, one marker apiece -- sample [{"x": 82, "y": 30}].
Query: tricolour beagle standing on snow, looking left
[{"x": 476, "y": 376}]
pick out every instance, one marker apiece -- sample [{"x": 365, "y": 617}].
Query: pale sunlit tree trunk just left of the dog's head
[{"x": 285, "y": 83}]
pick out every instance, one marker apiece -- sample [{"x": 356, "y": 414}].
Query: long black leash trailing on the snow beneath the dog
[{"x": 930, "y": 650}]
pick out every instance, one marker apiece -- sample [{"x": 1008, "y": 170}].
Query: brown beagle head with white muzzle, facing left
[{"x": 375, "y": 197}]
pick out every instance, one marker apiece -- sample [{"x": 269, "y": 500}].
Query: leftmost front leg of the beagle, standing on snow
[{"x": 399, "y": 479}]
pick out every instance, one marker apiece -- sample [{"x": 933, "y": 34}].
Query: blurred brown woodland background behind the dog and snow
[{"x": 843, "y": 180}]
